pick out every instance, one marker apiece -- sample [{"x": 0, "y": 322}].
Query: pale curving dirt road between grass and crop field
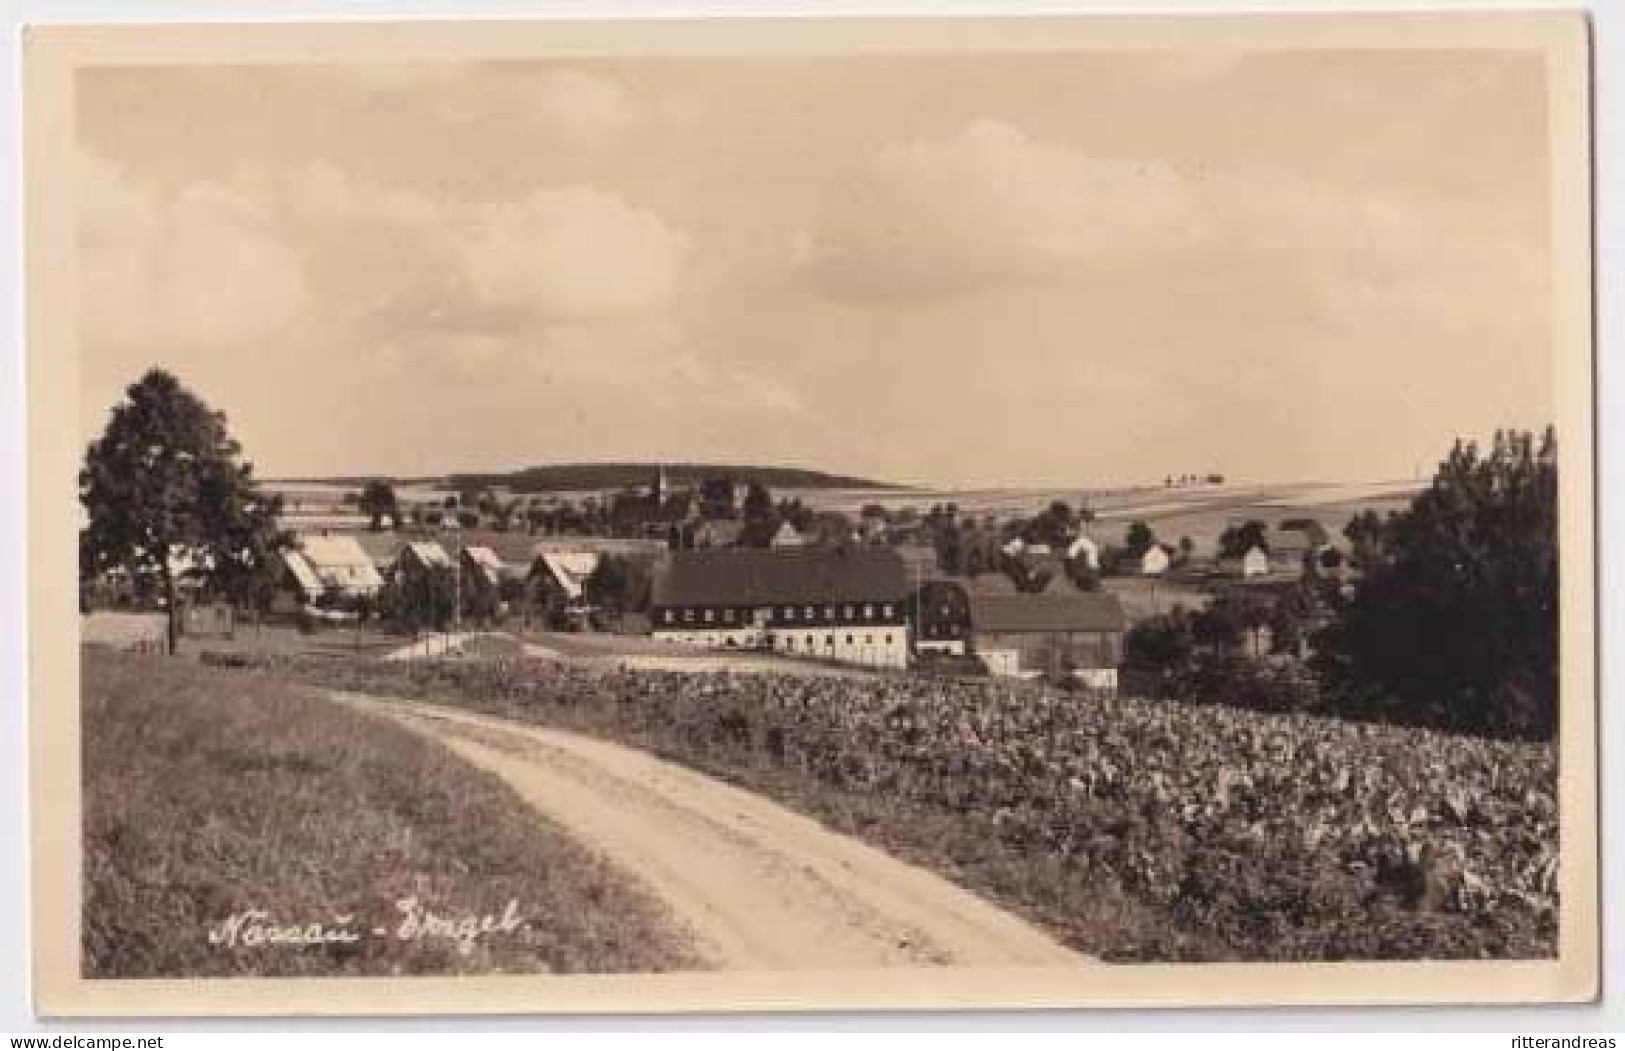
[{"x": 760, "y": 886}]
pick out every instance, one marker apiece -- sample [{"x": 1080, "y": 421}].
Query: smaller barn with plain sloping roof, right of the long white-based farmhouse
[{"x": 1051, "y": 636}]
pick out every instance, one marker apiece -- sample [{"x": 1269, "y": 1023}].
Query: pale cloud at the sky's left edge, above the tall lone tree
[{"x": 197, "y": 267}]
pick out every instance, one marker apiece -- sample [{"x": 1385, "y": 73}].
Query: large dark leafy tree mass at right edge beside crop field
[{"x": 1457, "y": 623}]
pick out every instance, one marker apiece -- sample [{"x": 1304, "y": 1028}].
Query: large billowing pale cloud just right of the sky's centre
[{"x": 989, "y": 207}]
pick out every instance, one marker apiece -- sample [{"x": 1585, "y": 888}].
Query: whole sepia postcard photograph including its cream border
[{"x": 812, "y": 513}]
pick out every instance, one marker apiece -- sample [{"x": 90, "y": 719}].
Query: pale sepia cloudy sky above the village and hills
[{"x": 950, "y": 270}]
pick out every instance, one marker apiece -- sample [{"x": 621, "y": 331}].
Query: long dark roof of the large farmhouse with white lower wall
[{"x": 763, "y": 577}]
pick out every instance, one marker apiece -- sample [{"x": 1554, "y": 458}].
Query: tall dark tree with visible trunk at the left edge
[{"x": 167, "y": 487}]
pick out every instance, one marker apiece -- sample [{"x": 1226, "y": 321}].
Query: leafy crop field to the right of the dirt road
[{"x": 1135, "y": 831}]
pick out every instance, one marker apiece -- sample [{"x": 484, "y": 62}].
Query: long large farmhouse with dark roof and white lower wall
[{"x": 844, "y": 603}]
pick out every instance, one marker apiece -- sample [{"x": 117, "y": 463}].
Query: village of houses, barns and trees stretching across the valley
[{"x": 706, "y": 564}]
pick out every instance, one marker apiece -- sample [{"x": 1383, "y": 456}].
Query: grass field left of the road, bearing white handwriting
[{"x": 210, "y": 794}]
